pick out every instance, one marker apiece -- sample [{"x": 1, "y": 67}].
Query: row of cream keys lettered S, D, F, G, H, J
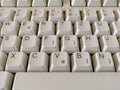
[{"x": 68, "y": 43}]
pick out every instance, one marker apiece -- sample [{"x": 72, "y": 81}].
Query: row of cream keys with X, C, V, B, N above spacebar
[{"x": 60, "y": 62}]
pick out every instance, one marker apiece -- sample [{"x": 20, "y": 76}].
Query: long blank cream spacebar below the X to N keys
[{"x": 67, "y": 81}]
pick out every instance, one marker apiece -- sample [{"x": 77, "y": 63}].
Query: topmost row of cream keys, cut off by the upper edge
[{"x": 80, "y": 3}]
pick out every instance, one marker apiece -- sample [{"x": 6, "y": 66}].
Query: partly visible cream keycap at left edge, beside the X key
[{"x": 3, "y": 59}]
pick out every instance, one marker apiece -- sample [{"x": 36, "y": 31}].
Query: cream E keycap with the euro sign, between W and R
[{"x": 28, "y": 28}]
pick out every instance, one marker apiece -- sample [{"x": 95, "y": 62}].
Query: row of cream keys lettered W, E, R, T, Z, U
[{"x": 79, "y": 29}]
